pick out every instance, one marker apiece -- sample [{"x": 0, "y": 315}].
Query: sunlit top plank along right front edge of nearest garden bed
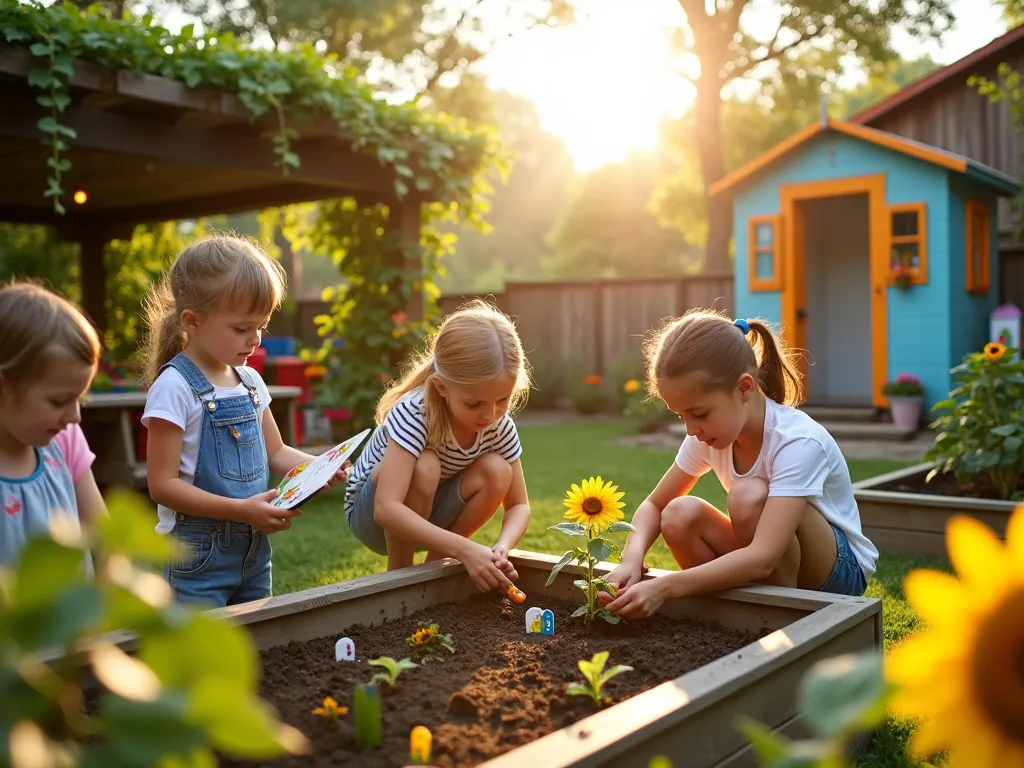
[{"x": 614, "y": 732}]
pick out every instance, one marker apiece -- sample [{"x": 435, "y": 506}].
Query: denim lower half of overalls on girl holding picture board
[{"x": 221, "y": 563}]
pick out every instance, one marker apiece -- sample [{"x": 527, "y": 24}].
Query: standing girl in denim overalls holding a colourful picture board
[{"x": 214, "y": 443}]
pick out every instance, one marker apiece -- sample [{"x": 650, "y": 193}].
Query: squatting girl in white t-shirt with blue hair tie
[{"x": 792, "y": 519}]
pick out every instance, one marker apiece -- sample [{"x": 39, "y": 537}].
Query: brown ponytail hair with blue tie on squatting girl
[{"x": 716, "y": 352}]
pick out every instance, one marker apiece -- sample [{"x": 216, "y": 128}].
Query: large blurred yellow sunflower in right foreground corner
[{"x": 964, "y": 674}]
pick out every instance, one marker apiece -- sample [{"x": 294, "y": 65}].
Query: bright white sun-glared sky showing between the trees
[{"x": 604, "y": 84}]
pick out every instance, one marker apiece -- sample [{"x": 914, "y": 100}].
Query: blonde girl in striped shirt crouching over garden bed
[{"x": 447, "y": 453}]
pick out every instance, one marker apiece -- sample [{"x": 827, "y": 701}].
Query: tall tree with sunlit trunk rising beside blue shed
[{"x": 729, "y": 51}]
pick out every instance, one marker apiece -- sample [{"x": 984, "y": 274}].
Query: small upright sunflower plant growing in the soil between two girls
[{"x": 593, "y": 508}]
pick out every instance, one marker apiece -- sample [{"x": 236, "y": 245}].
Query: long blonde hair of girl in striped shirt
[{"x": 476, "y": 345}]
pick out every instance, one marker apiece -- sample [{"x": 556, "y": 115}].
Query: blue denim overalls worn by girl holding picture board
[{"x": 234, "y": 559}]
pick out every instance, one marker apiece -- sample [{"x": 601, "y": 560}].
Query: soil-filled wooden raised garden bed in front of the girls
[{"x": 499, "y": 701}]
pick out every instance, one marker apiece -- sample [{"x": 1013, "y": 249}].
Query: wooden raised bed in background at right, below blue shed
[{"x": 904, "y": 516}]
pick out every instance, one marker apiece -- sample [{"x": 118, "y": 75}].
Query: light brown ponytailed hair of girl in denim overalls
[{"x": 223, "y": 274}]
